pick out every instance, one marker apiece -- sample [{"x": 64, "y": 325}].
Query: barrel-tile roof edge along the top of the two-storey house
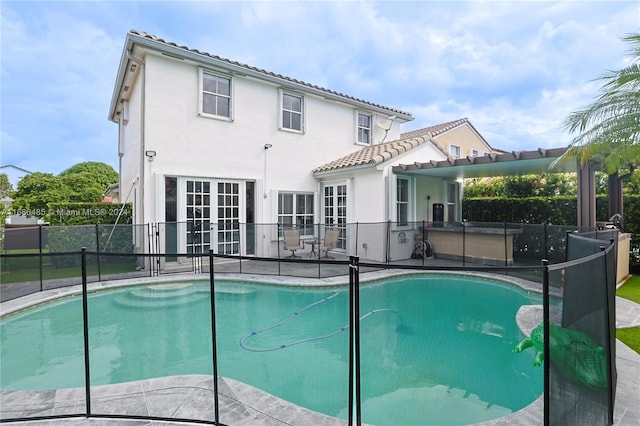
[{"x": 266, "y": 73}]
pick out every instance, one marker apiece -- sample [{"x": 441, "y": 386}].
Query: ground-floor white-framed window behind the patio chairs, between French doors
[{"x": 295, "y": 209}]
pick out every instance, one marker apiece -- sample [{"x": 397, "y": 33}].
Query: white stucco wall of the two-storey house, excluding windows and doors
[{"x": 193, "y": 146}]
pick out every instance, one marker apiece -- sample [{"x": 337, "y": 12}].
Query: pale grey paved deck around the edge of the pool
[{"x": 240, "y": 404}]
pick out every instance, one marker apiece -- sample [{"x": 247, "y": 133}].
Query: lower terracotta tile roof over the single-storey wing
[{"x": 375, "y": 154}]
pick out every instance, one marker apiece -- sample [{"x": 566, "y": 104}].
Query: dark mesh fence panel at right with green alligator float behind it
[{"x": 582, "y": 343}]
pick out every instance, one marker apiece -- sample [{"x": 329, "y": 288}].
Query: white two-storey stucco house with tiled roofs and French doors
[{"x": 237, "y": 153}]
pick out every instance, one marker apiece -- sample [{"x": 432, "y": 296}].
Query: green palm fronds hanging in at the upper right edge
[{"x": 608, "y": 131}]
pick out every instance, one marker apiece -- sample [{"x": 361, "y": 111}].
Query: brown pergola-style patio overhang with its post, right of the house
[{"x": 514, "y": 164}]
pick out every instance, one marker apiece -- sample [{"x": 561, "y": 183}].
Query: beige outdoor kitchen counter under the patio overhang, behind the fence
[{"x": 489, "y": 246}]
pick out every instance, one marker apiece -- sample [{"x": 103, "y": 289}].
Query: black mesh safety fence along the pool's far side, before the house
[{"x": 33, "y": 259}]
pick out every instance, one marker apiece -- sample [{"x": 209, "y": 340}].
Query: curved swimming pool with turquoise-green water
[{"x": 435, "y": 348}]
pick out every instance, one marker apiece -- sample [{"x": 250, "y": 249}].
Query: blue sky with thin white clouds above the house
[{"x": 515, "y": 69}]
